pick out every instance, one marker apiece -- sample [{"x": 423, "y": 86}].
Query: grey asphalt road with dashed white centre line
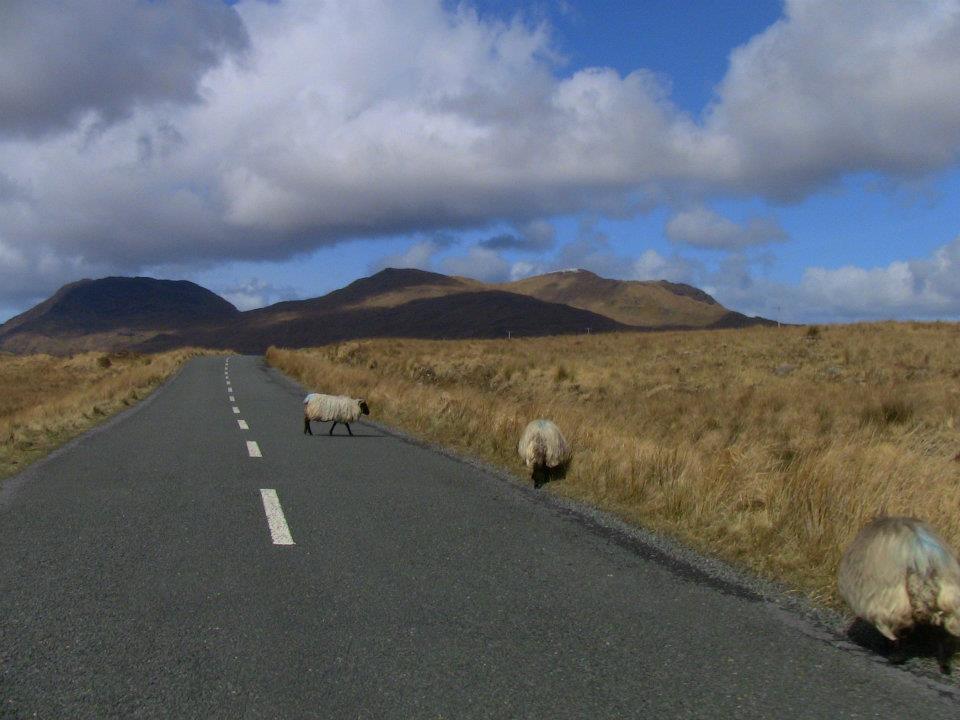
[{"x": 140, "y": 578}]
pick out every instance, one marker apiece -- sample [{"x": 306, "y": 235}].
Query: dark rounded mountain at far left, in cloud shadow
[{"x": 113, "y": 311}]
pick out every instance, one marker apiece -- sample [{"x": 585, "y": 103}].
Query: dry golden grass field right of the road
[{"x": 769, "y": 447}]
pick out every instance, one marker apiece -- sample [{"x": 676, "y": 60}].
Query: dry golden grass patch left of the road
[{"x": 45, "y": 400}]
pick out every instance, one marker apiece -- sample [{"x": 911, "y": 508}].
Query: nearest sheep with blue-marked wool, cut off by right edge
[{"x": 898, "y": 573}]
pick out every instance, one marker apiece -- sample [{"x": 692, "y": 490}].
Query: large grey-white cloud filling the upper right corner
[{"x": 841, "y": 87}]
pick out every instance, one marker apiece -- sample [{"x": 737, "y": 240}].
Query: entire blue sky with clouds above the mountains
[{"x": 798, "y": 160}]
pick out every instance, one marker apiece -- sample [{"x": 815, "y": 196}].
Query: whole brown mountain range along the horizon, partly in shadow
[{"x": 149, "y": 315}]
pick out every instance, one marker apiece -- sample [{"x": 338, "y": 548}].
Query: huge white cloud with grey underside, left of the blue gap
[{"x": 336, "y": 126}]
